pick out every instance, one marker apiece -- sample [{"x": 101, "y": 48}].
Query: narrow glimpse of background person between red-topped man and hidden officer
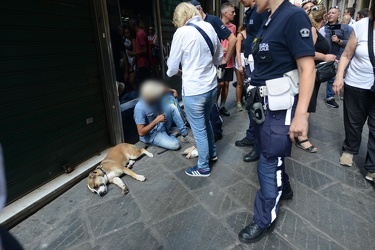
[{"x": 239, "y": 66}]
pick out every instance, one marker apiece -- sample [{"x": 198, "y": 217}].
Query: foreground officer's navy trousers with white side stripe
[{"x": 274, "y": 144}]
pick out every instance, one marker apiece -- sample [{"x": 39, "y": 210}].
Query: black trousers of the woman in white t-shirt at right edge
[{"x": 359, "y": 106}]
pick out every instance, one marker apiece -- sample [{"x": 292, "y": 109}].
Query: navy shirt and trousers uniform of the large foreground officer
[{"x": 283, "y": 38}]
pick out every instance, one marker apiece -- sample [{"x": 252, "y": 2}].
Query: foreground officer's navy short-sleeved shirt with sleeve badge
[{"x": 285, "y": 37}]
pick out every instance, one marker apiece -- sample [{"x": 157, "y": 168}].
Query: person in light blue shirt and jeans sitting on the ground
[{"x": 155, "y": 113}]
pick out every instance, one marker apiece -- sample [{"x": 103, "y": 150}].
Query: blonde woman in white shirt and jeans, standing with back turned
[{"x": 199, "y": 82}]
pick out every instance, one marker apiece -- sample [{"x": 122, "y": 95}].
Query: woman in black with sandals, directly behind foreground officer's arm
[{"x": 317, "y": 17}]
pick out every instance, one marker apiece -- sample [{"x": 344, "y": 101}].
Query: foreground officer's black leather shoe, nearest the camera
[{"x": 253, "y": 233}]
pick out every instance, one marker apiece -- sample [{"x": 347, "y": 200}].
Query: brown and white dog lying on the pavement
[{"x": 117, "y": 162}]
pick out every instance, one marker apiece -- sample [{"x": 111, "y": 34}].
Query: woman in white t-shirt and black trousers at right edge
[{"x": 359, "y": 94}]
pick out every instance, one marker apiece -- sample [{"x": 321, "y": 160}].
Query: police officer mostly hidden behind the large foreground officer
[{"x": 253, "y": 21}]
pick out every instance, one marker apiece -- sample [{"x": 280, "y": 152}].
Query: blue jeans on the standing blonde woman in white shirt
[{"x": 198, "y": 109}]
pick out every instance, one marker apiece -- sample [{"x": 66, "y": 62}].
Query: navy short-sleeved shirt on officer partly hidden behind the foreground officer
[{"x": 253, "y": 22}]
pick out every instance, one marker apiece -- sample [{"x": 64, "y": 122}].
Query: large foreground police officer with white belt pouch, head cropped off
[{"x": 283, "y": 44}]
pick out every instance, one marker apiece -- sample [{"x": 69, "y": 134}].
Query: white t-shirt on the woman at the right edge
[{"x": 360, "y": 73}]
